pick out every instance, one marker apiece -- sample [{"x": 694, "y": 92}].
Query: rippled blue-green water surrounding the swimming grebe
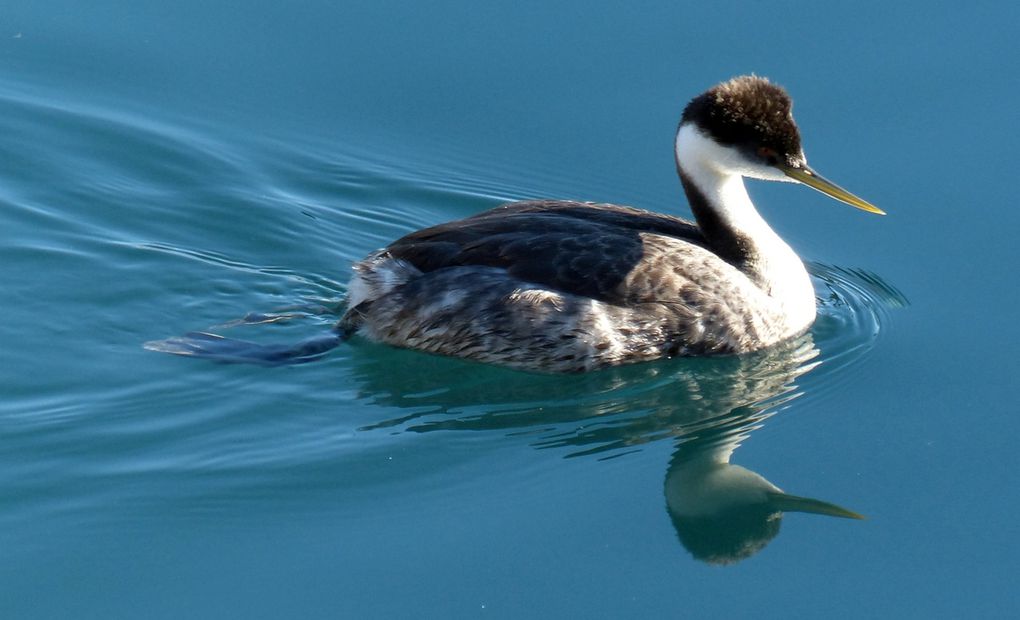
[{"x": 172, "y": 168}]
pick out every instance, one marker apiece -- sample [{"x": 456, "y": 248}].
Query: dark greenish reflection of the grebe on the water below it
[{"x": 723, "y": 512}]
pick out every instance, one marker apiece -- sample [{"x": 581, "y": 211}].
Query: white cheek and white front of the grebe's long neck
[{"x": 713, "y": 177}]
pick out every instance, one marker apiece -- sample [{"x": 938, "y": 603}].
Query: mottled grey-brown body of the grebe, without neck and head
[{"x": 559, "y": 287}]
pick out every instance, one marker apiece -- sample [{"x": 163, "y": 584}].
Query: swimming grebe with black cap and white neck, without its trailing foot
[{"x": 558, "y": 286}]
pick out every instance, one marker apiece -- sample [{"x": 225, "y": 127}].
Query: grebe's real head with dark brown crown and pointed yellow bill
[{"x": 746, "y": 127}]
